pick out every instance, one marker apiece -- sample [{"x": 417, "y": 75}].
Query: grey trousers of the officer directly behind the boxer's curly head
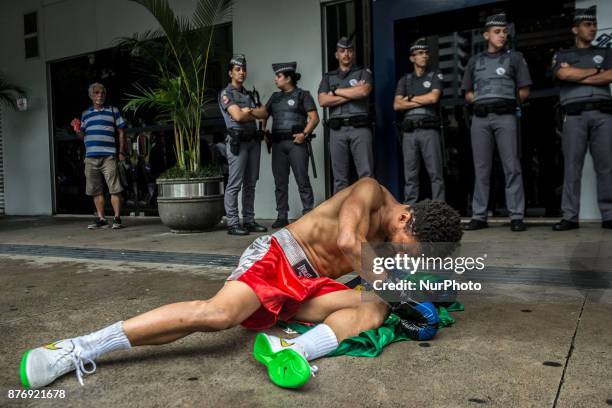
[{"x": 425, "y": 142}]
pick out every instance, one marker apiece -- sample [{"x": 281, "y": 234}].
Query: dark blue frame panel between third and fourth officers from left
[{"x": 384, "y": 15}]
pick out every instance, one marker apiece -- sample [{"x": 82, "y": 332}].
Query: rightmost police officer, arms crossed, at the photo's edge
[{"x": 585, "y": 74}]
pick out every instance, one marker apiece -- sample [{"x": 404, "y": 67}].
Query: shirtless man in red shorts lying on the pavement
[{"x": 289, "y": 275}]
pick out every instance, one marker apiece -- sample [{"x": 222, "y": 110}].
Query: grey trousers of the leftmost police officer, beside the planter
[{"x": 243, "y": 173}]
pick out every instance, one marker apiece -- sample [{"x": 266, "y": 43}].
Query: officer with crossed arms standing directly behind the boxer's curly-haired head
[{"x": 417, "y": 95}]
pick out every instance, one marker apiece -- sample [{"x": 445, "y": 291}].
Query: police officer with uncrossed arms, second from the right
[{"x": 495, "y": 81}]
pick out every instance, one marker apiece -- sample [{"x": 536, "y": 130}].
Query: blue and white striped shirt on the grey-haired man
[{"x": 99, "y": 129}]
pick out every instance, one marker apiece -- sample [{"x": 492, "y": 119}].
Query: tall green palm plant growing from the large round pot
[{"x": 180, "y": 50}]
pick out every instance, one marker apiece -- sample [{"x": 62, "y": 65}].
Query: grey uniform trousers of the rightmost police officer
[{"x": 591, "y": 128}]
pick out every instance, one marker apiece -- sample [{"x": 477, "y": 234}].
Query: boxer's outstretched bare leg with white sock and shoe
[{"x": 229, "y": 307}]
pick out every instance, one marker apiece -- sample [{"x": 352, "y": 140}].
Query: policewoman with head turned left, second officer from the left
[{"x": 295, "y": 117}]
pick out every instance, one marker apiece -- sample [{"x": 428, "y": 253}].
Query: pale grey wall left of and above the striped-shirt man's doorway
[{"x": 65, "y": 28}]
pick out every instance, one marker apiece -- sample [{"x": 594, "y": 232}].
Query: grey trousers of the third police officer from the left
[{"x": 346, "y": 142}]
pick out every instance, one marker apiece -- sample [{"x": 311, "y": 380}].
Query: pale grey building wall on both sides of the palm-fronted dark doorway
[{"x": 72, "y": 27}]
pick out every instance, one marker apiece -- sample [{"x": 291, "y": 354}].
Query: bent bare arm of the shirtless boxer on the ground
[{"x": 354, "y": 222}]
